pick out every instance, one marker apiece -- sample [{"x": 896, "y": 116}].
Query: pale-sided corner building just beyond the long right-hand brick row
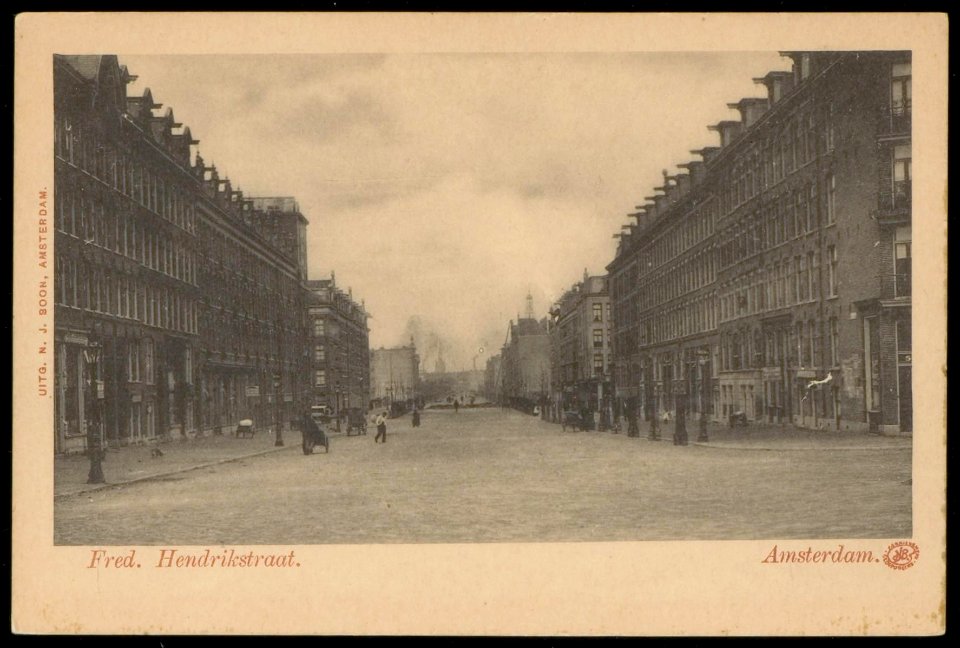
[{"x": 582, "y": 328}]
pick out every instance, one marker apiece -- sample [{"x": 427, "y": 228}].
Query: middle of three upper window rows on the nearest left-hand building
[{"x": 79, "y": 216}]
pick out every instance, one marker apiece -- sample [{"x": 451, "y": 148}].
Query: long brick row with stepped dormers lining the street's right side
[{"x": 772, "y": 278}]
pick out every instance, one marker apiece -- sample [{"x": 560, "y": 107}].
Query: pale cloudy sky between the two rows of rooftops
[{"x": 443, "y": 187}]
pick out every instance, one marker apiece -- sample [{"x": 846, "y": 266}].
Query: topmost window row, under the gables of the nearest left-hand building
[{"x": 123, "y": 172}]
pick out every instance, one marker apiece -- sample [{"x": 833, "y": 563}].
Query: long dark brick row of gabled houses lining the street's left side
[{"x": 167, "y": 302}]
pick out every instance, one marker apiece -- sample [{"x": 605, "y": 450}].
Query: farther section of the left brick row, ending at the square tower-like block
[{"x": 253, "y": 333}]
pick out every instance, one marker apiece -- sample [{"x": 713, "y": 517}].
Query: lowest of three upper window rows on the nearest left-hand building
[{"x": 94, "y": 289}]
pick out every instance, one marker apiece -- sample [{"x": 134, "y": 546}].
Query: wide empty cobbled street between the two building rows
[{"x": 488, "y": 475}]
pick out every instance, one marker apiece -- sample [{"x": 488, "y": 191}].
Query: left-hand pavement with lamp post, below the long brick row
[{"x": 137, "y": 463}]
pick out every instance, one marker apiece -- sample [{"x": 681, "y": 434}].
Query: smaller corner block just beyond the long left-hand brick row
[{"x": 340, "y": 353}]
